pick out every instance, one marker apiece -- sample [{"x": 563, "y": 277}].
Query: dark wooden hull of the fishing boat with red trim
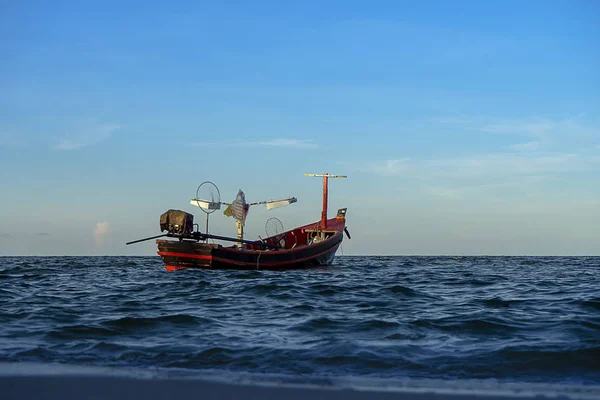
[{"x": 189, "y": 254}]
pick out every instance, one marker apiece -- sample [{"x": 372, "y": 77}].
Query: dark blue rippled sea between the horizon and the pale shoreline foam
[{"x": 514, "y": 319}]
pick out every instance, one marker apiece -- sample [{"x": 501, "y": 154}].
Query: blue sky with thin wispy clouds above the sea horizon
[{"x": 464, "y": 127}]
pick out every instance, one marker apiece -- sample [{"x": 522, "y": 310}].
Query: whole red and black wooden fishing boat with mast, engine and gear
[{"x": 310, "y": 245}]
